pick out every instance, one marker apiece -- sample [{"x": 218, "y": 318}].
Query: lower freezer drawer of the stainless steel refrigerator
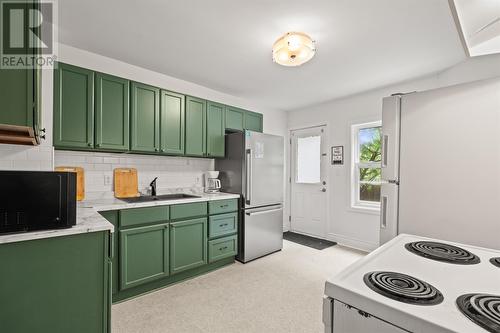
[{"x": 262, "y": 232}]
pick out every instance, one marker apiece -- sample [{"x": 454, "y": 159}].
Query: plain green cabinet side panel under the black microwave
[{"x": 58, "y": 284}]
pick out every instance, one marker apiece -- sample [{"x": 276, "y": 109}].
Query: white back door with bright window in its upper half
[{"x": 309, "y": 191}]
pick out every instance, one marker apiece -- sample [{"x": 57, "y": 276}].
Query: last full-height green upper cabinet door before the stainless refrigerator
[{"x": 215, "y": 129}]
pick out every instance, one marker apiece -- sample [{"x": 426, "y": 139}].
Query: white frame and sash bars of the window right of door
[{"x": 356, "y": 165}]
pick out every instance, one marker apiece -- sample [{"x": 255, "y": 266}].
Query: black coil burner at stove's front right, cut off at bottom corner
[{"x": 482, "y": 309}]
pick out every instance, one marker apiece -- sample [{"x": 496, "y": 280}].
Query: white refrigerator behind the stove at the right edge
[{"x": 441, "y": 164}]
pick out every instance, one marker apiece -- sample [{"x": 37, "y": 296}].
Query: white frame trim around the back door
[{"x": 327, "y": 176}]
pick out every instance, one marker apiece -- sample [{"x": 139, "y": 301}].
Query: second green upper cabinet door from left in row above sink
[{"x": 111, "y": 113}]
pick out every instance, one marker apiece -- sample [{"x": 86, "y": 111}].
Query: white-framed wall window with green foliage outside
[{"x": 366, "y": 166}]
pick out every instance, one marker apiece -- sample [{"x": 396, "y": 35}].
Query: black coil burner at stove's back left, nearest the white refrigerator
[{"x": 443, "y": 252}]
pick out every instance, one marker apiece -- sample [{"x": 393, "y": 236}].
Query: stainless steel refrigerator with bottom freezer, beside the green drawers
[{"x": 254, "y": 167}]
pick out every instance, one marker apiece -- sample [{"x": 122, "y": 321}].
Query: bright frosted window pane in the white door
[{"x": 308, "y": 159}]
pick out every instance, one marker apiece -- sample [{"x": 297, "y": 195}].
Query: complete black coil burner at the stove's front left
[{"x": 403, "y": 288}]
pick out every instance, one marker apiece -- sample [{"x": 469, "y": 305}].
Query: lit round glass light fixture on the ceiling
[{"x": 293, "y": 49}]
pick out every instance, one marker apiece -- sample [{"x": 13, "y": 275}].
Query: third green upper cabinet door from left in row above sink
[{"x": 145, "y": 115}]
